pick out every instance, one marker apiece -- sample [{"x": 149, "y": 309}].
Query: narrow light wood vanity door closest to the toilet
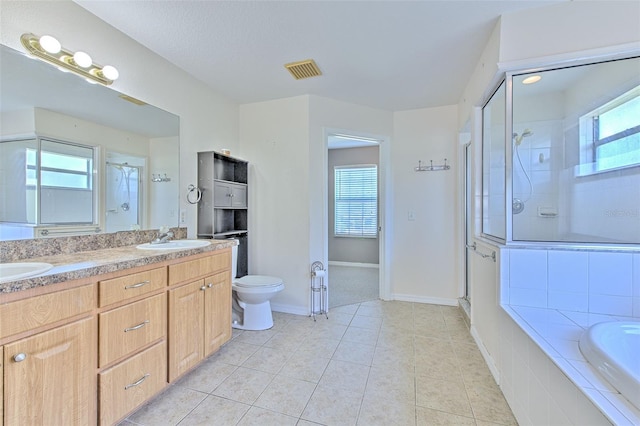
[{"x": 217, "y": 311}]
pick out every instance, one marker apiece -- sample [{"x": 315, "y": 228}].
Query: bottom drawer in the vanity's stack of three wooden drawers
[{"x": 129, "y": 384}]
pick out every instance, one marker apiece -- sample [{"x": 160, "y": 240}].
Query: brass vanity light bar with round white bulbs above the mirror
[{"x": 50, "y": 50}]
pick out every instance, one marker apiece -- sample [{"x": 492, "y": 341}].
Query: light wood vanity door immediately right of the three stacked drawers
[{"x": 186, "y": 307}]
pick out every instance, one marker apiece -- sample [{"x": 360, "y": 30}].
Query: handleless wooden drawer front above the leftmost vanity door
[{"x": 31, "y": 313}]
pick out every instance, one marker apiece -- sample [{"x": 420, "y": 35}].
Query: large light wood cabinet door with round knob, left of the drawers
[{"x": 50, "y": 377}]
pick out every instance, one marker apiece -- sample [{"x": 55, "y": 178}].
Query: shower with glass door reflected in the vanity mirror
[{"x": 122, "y": 196}]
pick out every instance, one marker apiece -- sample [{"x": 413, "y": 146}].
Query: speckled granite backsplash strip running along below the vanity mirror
[{"x": 11, "y": 251}]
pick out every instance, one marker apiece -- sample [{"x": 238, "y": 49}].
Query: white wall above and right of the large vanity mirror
[{"x": 208, "y": 121}]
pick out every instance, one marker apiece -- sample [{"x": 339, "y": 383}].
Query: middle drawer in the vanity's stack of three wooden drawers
[{"x": 126, "y": 329}]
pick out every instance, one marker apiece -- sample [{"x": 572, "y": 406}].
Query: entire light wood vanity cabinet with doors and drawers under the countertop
[{"x": 93, "y": 353}]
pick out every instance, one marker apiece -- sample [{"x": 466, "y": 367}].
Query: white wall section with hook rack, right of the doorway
[{"x": 424, "y": 251}]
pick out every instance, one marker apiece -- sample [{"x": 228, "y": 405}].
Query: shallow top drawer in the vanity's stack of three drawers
[{"x": 118, "y": 289}]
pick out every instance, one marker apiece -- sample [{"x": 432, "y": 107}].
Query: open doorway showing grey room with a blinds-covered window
[{"x": 354, "y": 225}]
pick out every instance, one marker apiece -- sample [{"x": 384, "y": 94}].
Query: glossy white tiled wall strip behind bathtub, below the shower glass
[{"x": 602, "y": 282}]
